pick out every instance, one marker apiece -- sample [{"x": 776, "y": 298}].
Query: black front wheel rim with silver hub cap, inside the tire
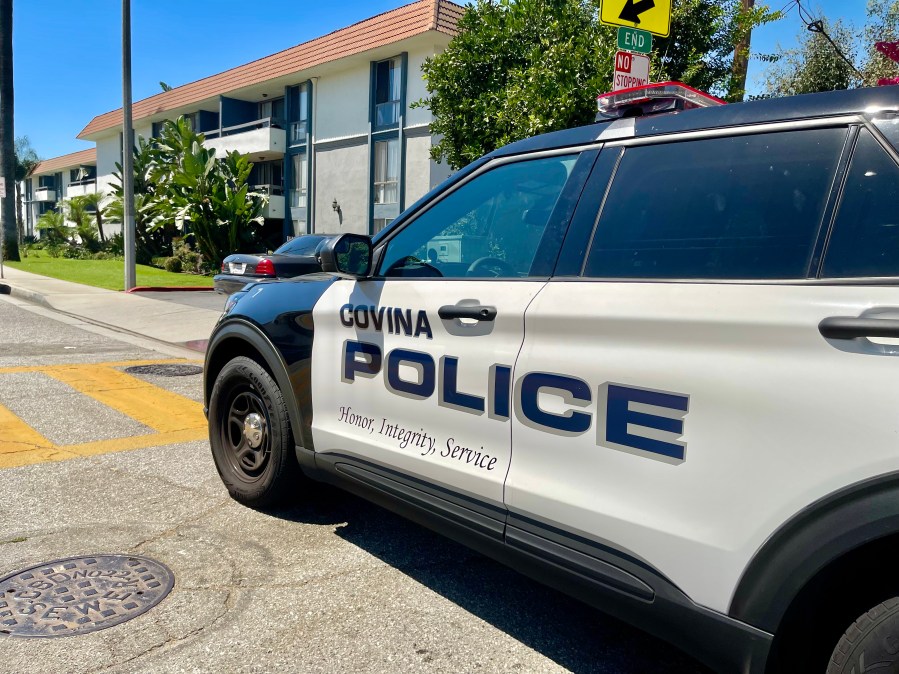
[{"x": 245, "y": 434}]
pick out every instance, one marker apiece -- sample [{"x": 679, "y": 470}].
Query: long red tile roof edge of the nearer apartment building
[{"x": 378, "y": 31}]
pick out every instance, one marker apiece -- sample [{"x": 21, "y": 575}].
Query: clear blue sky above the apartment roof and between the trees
[{"x": 67, "y": 54}]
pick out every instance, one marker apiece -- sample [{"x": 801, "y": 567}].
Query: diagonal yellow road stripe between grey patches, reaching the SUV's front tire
[{"x": 161, "y": 410}]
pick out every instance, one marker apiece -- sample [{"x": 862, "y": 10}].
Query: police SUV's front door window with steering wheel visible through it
[{"x": 490, "y": 227}]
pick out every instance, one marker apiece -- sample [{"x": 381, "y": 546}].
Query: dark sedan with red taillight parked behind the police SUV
[{"x": 294, "y": 258}]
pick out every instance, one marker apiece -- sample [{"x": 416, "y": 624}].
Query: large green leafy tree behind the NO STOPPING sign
[{"x": 522, "y": 67}]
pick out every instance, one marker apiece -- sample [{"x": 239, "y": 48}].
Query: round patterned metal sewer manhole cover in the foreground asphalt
[{"x": 80, "y": 594}]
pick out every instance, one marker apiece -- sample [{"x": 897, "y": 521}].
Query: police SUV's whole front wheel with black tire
[{"x": 249, "y": 431}]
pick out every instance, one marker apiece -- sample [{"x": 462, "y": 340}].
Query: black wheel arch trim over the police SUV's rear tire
[{"x": 833, "y": 530}]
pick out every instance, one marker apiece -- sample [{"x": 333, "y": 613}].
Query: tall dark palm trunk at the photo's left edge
[{"x": 7, "y": 133}]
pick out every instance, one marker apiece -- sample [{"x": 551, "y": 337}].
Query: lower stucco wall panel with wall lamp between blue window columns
[{"x": 342, "y": 174}]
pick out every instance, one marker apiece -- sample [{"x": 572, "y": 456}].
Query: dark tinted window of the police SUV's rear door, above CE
[{"x": 744, "y": 207}]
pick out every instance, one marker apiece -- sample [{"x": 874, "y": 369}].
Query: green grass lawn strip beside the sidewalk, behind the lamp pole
[{"x": 109, "y": 274}]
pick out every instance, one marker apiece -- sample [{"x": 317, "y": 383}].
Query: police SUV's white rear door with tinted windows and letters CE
[{"x": 687, "y": 388}]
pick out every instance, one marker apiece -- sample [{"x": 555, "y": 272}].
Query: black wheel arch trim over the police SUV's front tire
[{"x": 242, "y": 338}]
